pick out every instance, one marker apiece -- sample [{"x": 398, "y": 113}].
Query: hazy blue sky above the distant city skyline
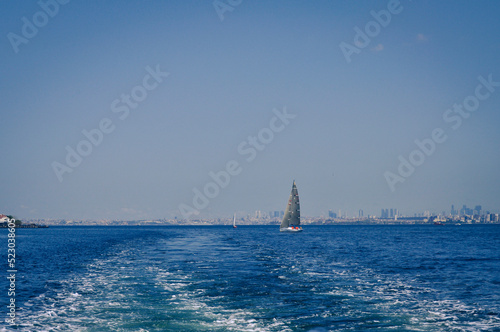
[{"x": 353, "y": 102}]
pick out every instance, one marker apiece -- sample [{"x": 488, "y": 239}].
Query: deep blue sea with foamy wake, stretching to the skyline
[{"x": 254, "y": 278}]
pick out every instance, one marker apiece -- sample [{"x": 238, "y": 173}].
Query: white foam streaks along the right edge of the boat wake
[{"x": 392, "y": 296}]
